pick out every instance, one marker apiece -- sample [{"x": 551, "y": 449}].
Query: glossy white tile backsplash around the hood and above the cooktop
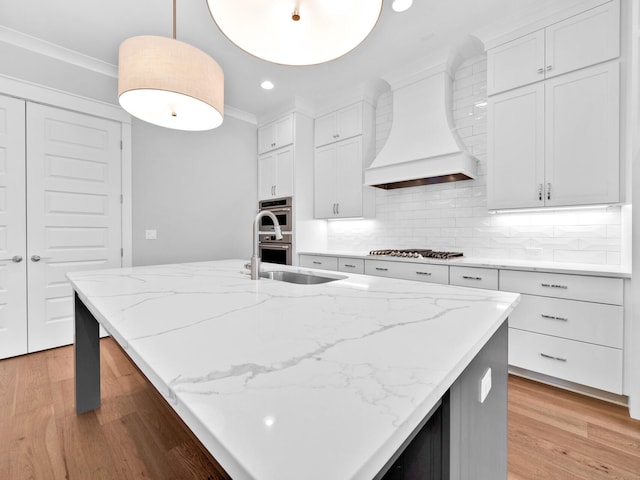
[{"x": 453, "y": 216}]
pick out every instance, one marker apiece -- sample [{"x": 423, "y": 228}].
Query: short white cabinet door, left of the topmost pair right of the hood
[{"x": 516, "y": 63}]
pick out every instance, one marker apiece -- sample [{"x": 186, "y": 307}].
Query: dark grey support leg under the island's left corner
[{"x": 87, "y": 359}]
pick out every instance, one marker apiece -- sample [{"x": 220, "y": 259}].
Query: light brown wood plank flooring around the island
[{"x": 553, "y": 434}]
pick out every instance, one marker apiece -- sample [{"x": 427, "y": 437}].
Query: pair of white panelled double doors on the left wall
[{"x": 60, "y": 211}]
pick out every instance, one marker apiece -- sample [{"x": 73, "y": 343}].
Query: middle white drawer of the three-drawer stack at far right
[{"x": 597, "y": 323}]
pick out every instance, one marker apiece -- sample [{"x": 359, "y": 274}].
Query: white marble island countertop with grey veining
[{"x": 283, "y": 381}]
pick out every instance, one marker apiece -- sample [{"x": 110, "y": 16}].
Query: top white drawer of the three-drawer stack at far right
[{"x": 560, "y": 285}]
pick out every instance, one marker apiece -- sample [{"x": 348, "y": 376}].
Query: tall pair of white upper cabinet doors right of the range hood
[{"x": 556, "y": 143}]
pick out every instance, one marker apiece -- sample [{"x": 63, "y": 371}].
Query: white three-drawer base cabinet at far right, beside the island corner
[{"x": 567, "y": 326}]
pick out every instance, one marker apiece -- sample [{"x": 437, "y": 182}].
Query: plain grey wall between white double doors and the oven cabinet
[{"x": 197, "y": 189}]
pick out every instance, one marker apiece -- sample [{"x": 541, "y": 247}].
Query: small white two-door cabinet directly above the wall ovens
[{"x": 275, "y": 173}]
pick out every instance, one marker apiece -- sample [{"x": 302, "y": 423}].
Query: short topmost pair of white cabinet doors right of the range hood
[{"x": 577, "y": 42}]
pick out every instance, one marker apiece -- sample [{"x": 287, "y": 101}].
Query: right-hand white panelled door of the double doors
[{"x": 73, "y": 212}]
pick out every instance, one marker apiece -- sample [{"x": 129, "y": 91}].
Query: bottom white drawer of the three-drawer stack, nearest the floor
[{"x": 583, "y": 363}]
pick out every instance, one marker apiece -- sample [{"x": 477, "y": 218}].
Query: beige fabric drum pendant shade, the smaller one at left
[{"x": 170, "y": 83}]
